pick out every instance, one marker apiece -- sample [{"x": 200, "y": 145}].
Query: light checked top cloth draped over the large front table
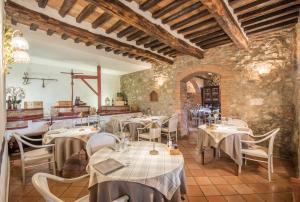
[{"x": 163, "y": 172}]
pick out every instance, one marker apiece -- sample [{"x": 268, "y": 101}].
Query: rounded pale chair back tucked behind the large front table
[{"x": 100, "y": 140}]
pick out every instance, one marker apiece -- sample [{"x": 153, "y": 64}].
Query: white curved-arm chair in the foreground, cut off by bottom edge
[{"x": 40, "y": 183}]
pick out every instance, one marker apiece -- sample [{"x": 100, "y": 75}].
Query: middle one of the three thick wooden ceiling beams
[{"x": 126, "y": 14}]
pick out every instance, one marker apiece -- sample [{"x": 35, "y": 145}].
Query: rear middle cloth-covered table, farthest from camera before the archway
[{"x": 132, "y": 123}]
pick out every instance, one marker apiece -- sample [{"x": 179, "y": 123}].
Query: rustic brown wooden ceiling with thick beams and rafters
[{"x": 196, "y": 25}]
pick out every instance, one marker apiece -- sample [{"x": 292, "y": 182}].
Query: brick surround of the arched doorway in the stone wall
[{"x": 185, "y": 74}]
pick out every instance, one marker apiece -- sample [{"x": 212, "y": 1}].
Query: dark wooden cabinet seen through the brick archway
[{"x": 211, "y": 96}]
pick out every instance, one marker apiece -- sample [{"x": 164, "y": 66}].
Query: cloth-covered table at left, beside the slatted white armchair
[{"x": 68, "y": 141}]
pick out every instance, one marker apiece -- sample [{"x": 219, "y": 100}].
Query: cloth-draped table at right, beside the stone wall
[{"x": 224, "y": 136}]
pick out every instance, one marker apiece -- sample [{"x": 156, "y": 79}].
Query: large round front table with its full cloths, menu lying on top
[{"x": 144, "y": 177}]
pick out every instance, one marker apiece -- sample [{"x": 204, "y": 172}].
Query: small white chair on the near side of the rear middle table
[{"x": 149, "y": 133}]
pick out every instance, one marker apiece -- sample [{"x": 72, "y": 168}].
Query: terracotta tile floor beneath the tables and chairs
[{"x": 214, "y": 181}]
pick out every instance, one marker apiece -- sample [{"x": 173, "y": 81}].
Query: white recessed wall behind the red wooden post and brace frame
[{"x": 60, "y": 90}]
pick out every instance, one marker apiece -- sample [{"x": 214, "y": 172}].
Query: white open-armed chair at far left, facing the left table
[{"x": 31, "y": 158}]
